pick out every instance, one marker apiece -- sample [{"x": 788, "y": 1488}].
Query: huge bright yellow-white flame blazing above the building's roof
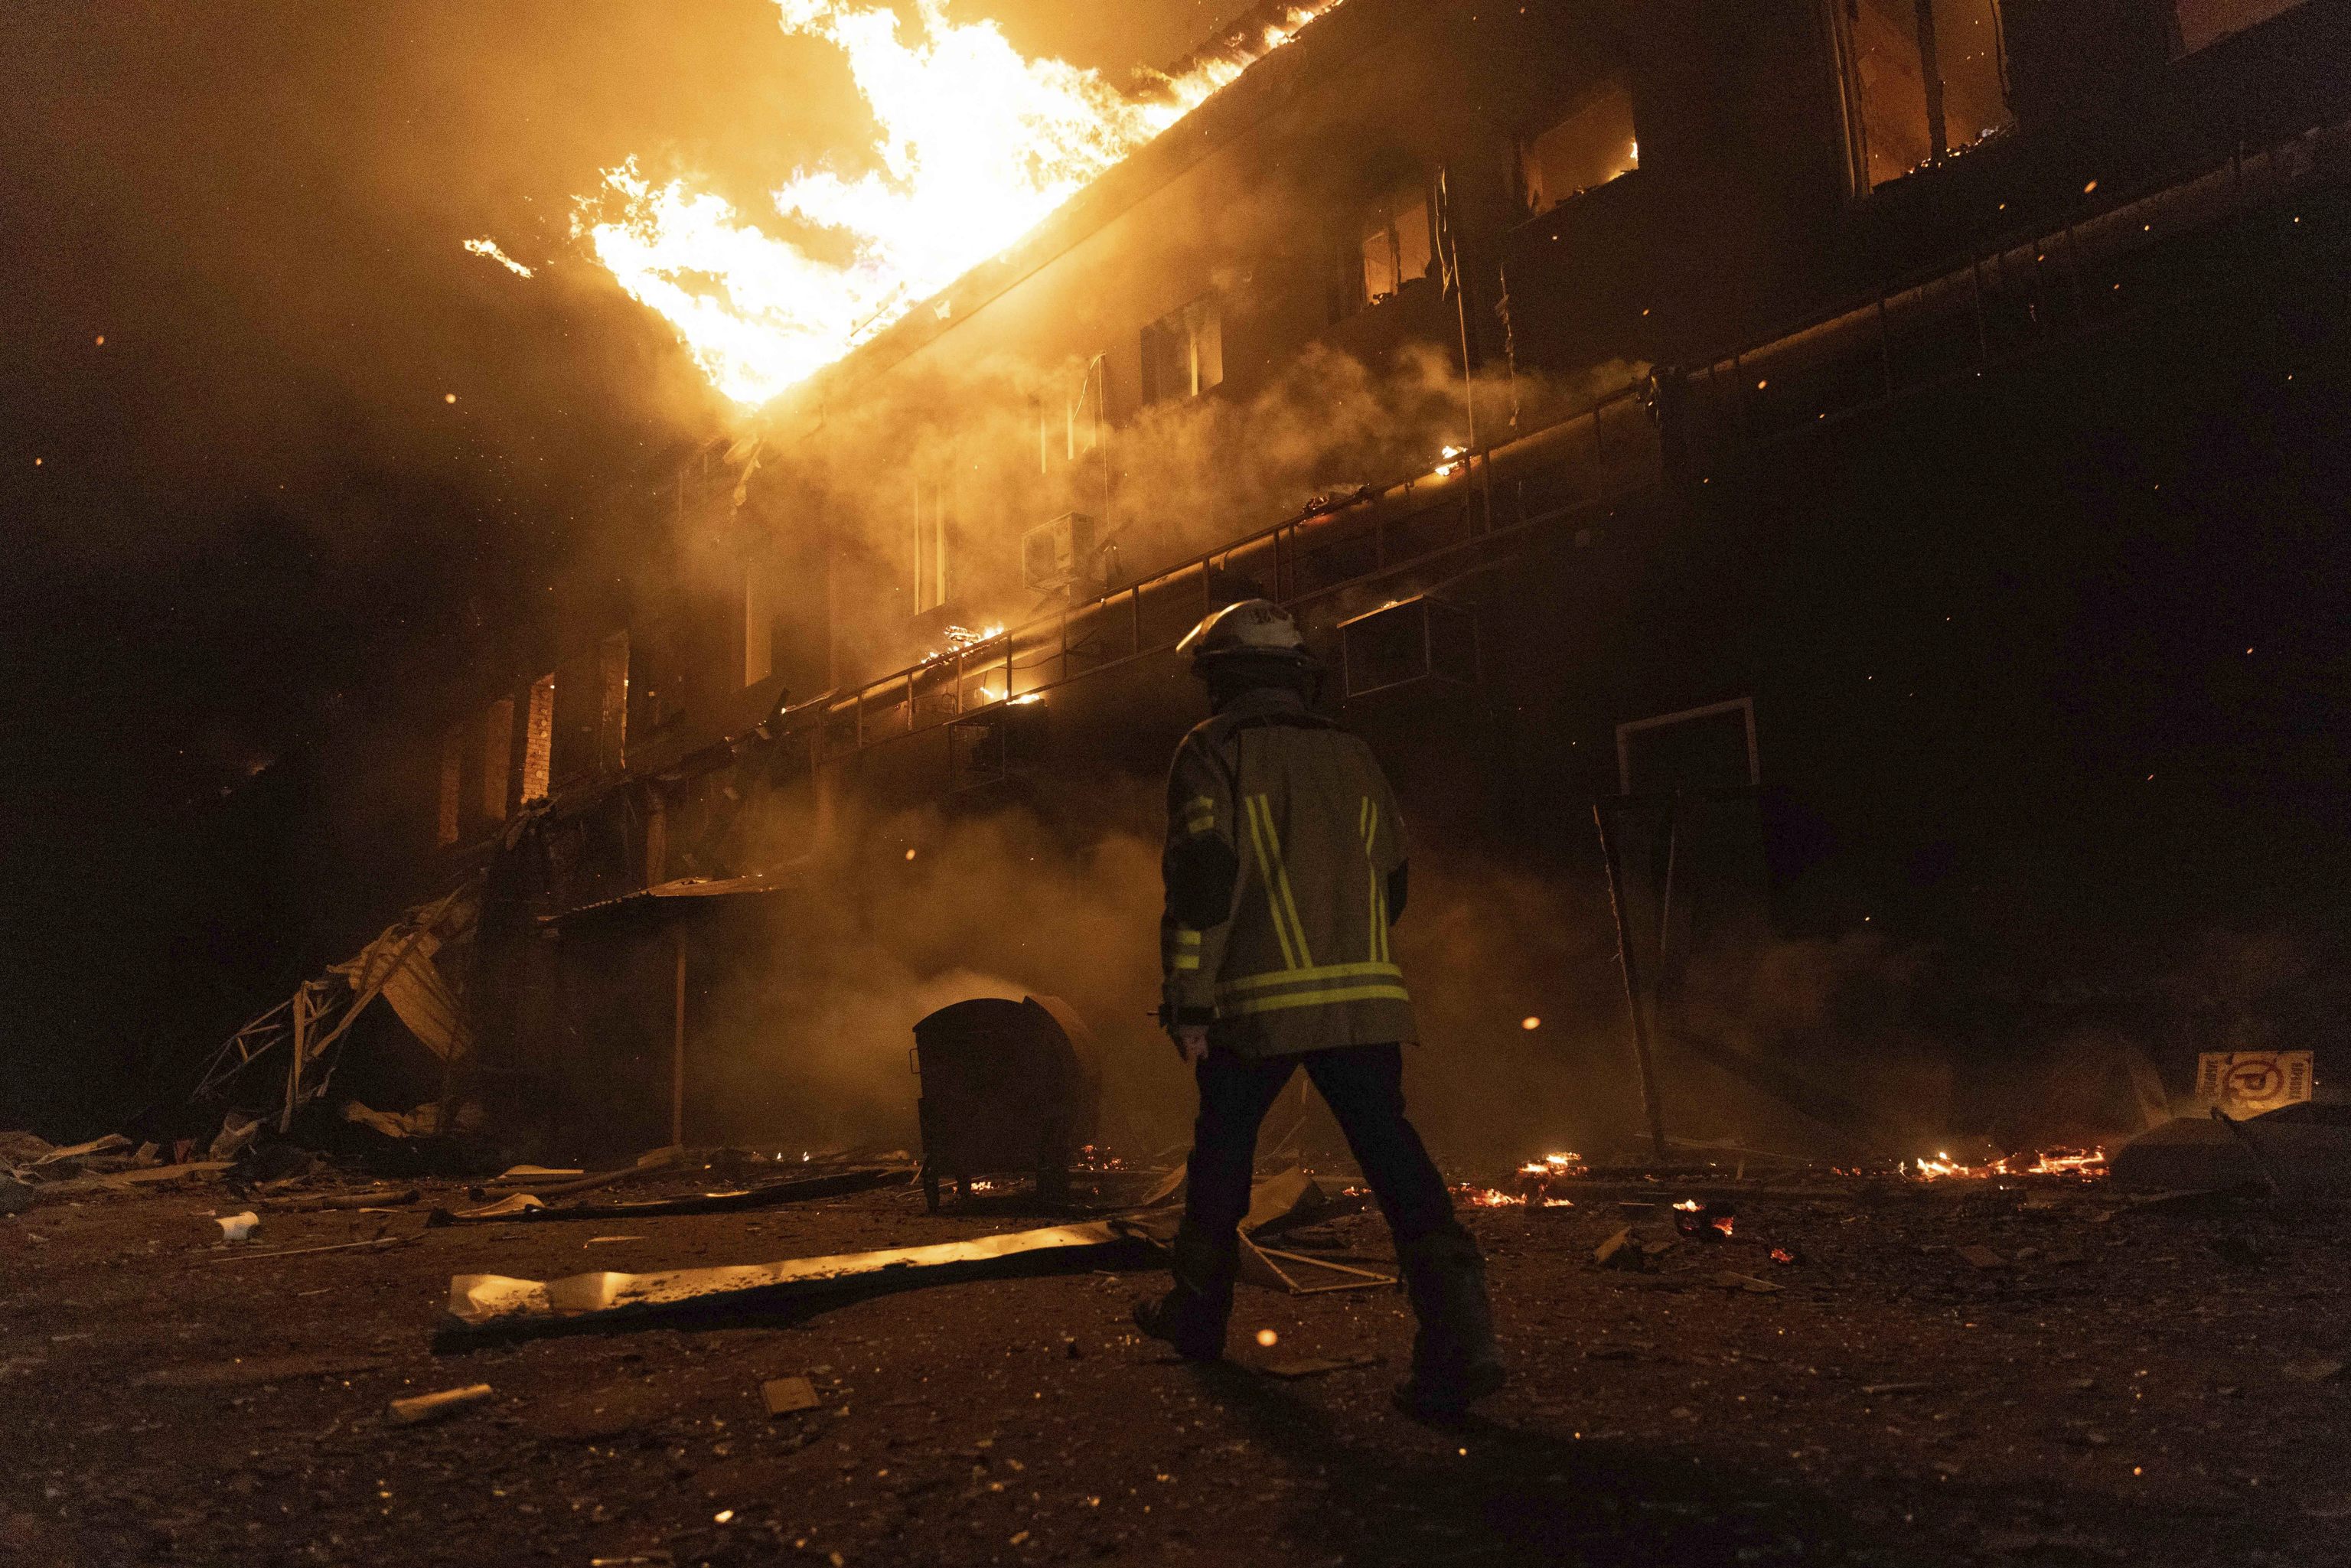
[{"x": 977, "y": 147}]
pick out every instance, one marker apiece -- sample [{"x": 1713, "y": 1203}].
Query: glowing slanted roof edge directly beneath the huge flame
[{"x": 1332, "y": 39}]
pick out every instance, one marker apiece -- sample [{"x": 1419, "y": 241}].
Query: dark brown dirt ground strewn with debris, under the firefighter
[{"x": 2122, "y": 1386}]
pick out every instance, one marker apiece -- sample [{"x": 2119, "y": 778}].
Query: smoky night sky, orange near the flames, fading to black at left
[{"x": 241, "y": 502}]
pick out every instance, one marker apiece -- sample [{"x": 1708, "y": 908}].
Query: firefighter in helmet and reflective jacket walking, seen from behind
[{"x": 1285, "y": 871}]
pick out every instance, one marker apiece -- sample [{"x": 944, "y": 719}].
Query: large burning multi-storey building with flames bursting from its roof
[{"x": 1755, "y": 476}]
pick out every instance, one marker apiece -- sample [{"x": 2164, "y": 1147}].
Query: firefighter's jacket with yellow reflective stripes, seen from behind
[{"x": 1285, "y": 871}]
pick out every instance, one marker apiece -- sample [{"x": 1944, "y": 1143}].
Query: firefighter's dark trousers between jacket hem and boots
[{"x": 1362, "y": 1087}]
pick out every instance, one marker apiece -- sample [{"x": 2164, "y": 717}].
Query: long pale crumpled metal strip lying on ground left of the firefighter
[{"x": 497, "y": 1304}]
